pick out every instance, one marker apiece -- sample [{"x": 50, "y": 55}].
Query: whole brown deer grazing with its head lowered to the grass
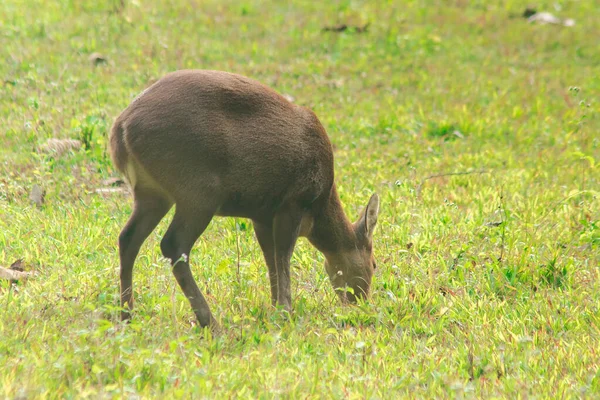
[{"x": 216, "y": 143}]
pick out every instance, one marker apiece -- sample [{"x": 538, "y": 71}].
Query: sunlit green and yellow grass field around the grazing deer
[{"x": 479, "y": 131}]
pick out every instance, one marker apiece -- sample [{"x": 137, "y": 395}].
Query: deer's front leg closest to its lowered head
[{"x": 286, "y": 228}]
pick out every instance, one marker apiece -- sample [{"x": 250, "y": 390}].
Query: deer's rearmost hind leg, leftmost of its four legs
[{"x": 148, "y": 209}]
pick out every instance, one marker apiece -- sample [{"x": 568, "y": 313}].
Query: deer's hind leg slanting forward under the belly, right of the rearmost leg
[{"x": 185, "y": 229}]
